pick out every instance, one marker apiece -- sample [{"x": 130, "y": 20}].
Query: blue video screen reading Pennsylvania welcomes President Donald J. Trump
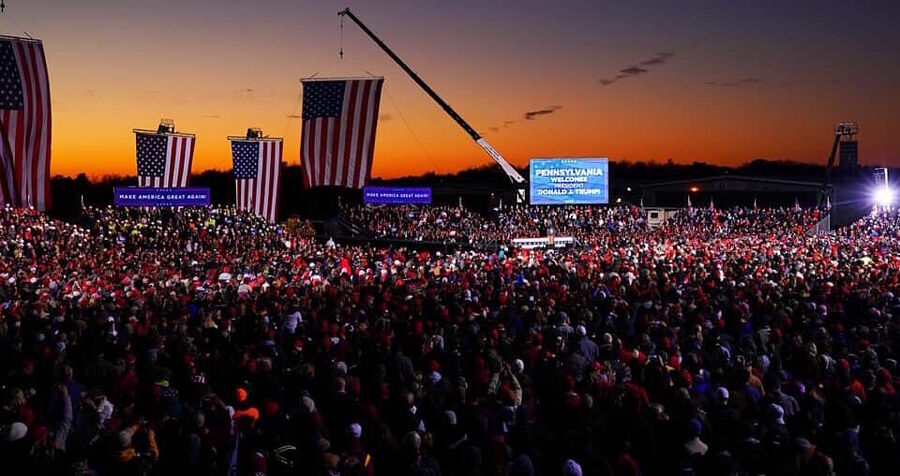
[{"x": 569, "y": 181}]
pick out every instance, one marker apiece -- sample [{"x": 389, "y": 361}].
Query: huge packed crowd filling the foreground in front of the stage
[{"x": 207, "y": 341}]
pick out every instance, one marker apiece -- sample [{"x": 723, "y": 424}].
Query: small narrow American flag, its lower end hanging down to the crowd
[{"x": 257, "y": 175}]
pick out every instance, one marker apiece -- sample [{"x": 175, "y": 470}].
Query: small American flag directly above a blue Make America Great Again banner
[{"x": 164, "y": 160}]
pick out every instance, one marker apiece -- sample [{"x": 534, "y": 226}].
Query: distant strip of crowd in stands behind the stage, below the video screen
[{"x": 590, "y": 225}]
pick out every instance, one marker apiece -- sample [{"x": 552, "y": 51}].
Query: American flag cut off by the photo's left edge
[{"x": 24, "y": 124}]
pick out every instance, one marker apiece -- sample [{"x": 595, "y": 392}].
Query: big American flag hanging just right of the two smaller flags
[{"x": 338, "y": 138}]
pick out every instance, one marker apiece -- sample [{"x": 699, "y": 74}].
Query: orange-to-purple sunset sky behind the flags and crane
[{"x": 720, "y": 82}]
